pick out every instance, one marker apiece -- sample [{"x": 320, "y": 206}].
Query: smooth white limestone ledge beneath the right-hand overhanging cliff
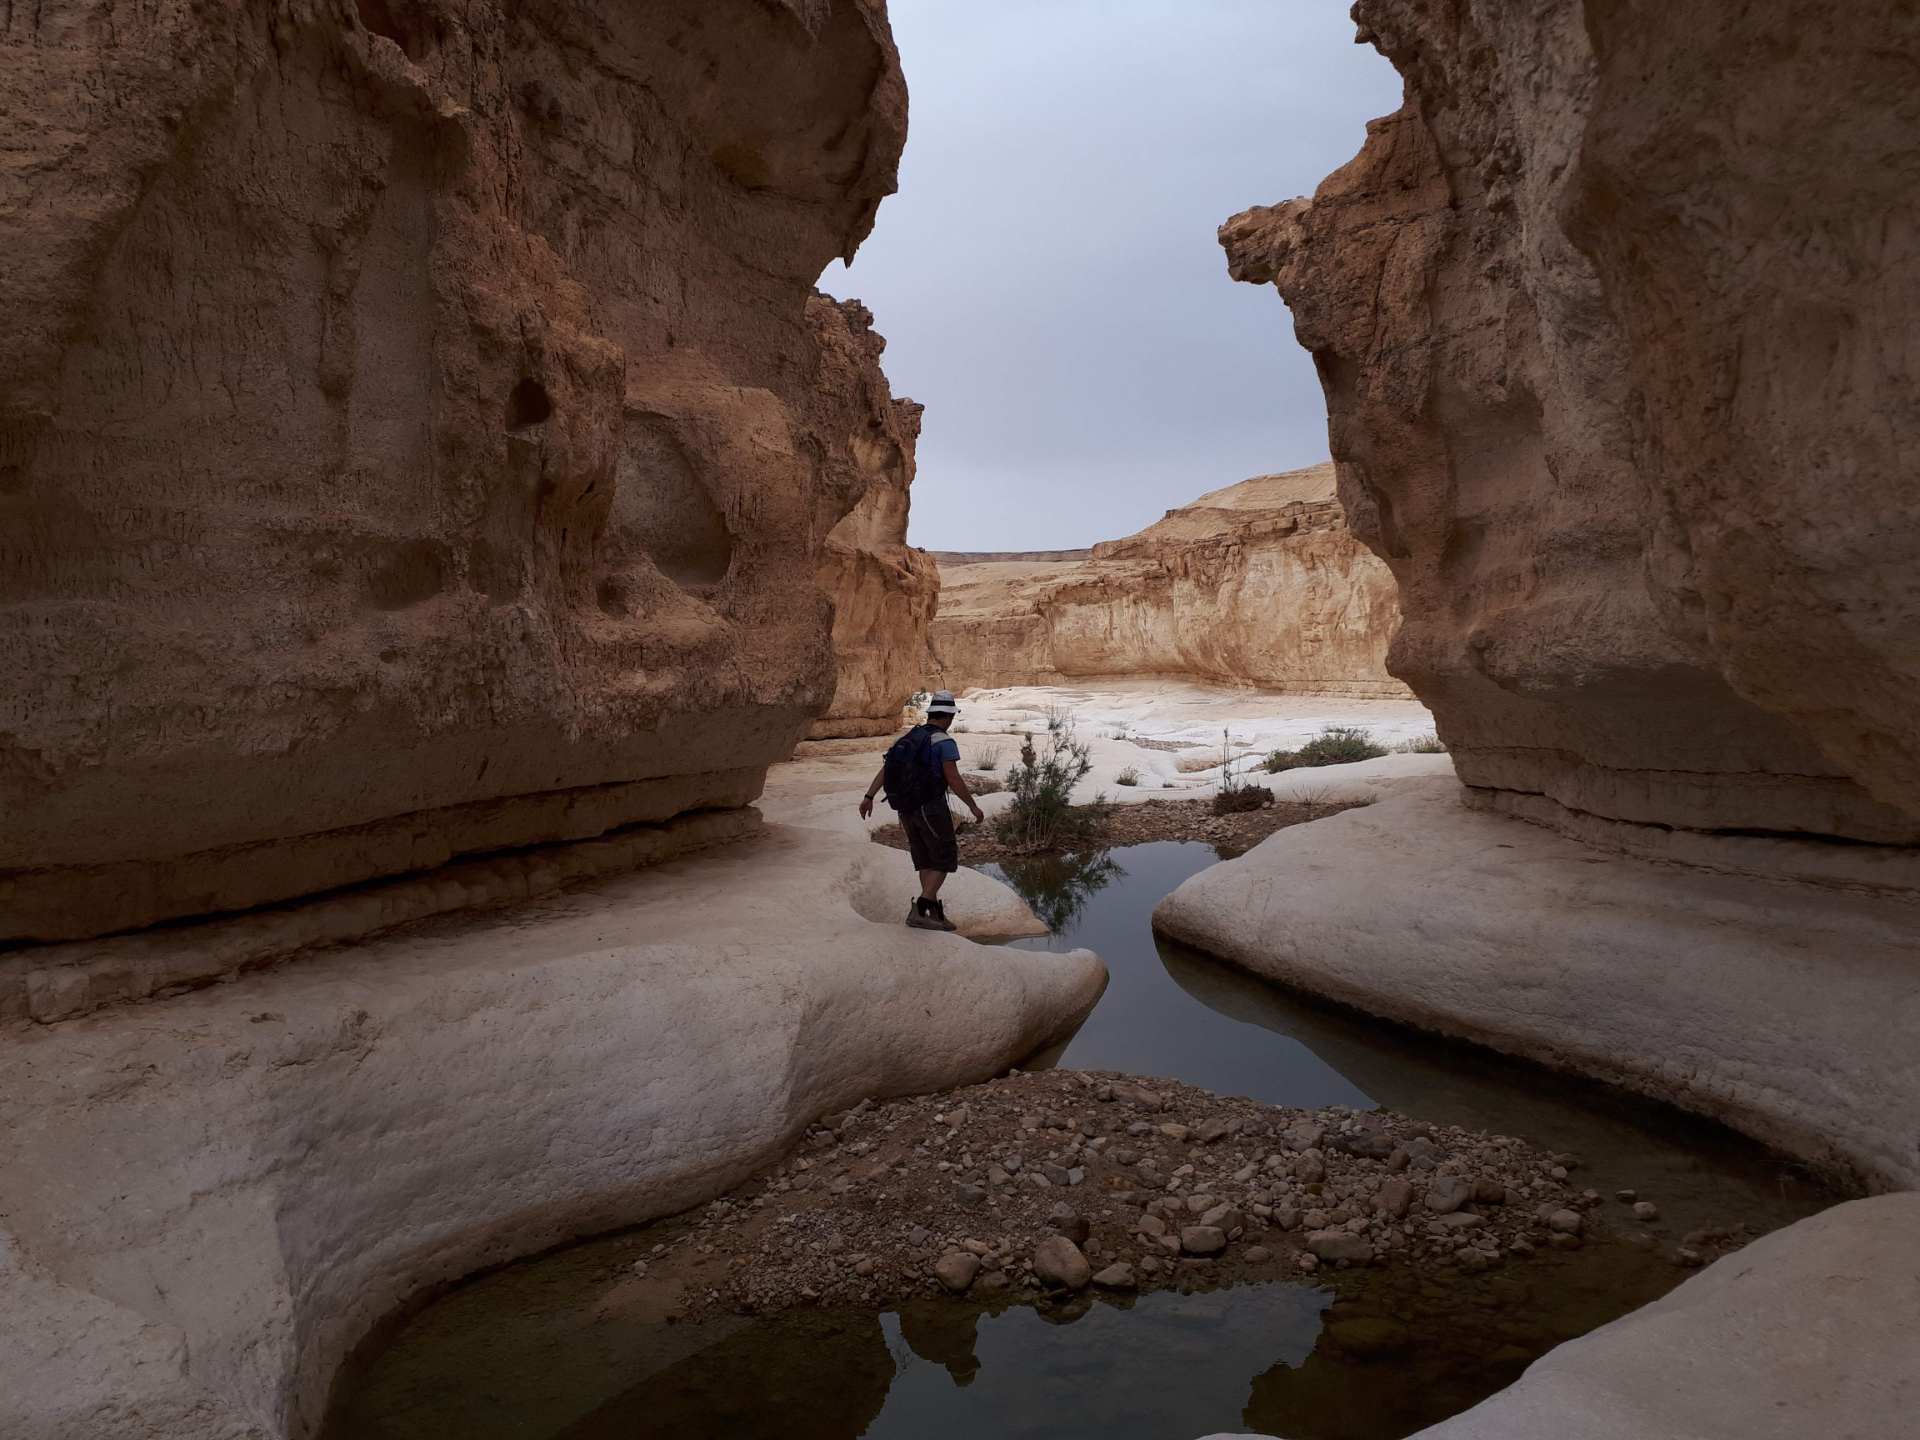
[{"x": 1787, "y": 1011}]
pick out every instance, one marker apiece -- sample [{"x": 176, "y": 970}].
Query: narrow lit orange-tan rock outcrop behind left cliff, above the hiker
[{"x": 884, "y": 590}]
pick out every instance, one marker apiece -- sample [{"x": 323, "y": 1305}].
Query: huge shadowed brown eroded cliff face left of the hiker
[{"x": 408, "y": 429}]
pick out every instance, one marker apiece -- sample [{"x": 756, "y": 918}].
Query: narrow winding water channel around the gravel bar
[{"x": 564, "y": 1349}]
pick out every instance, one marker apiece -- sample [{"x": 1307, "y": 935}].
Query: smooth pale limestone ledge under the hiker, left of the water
[{"x": 208, "y": 1201}]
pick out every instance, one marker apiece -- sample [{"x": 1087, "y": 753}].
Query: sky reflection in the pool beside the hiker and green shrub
[{"x": 1147, "y": 1022}]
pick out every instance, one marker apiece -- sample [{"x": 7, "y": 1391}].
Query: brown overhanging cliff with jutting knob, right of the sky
[{"x": 1616, "y": 324}]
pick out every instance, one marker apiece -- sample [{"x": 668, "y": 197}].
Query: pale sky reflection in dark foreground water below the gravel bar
[{"x": 1170, "y": 1366}]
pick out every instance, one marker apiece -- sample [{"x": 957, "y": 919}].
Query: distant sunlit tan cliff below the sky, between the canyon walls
[{"x": 1257, "y": 585}]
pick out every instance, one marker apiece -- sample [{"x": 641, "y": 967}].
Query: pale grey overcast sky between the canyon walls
[{"x": 1049, "y": 281}]
